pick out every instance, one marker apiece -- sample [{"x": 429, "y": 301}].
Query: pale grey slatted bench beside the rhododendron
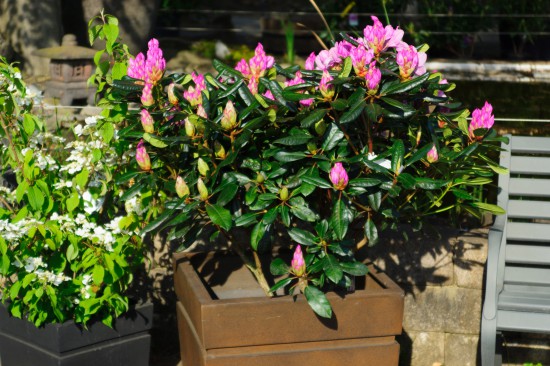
[{"x": 517, "y": 293}]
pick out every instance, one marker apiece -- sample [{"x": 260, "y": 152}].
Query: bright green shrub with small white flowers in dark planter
[{"x": 67, "y": 251}]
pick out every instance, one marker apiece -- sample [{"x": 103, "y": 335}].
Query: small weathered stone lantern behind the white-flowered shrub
[{"x": 70, "y": 67}]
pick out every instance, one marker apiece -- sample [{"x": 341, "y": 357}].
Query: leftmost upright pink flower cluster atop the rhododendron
[{"x": 149, "y": 69}]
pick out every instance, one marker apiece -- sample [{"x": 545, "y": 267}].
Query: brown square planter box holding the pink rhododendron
[{"x": 224, "y": 318}]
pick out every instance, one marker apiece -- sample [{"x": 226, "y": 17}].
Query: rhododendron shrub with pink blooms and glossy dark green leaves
[{"x": 323, "y": 157}]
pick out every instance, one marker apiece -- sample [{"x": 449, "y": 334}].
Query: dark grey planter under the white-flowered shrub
[{"x": 68, "y": 344}]
